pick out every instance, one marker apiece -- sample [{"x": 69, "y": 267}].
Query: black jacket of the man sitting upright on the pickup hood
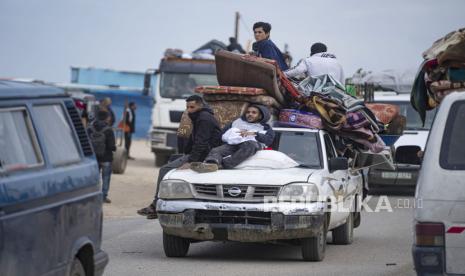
[{"x": 206, "y": 134}]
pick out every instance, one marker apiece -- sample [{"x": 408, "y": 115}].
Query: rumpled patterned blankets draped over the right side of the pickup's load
[{"x": 341, "y": 114}]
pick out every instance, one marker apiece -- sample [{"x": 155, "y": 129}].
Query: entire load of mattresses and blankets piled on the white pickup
[{"x": 314, "y": 103}]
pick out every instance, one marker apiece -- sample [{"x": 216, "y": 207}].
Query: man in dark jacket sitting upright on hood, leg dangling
[{"x": 206, "y": 134}]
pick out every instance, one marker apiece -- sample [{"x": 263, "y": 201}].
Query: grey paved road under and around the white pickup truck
[{"x": 382, "y": 247}]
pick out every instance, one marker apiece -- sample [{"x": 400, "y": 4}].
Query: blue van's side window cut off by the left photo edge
[{"x": 18, "y": 142}]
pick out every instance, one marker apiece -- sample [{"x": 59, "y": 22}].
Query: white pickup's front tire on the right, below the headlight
[{"x": 313, "y": 249}]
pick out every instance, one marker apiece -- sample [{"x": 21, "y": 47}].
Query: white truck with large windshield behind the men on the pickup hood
[{"x": 176, "y": 80}]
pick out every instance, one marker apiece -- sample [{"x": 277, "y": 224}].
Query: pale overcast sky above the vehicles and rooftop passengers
[{"x": 42, "y": 39}]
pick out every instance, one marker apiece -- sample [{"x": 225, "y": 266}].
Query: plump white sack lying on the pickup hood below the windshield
[{"x": 268, "y": 159}]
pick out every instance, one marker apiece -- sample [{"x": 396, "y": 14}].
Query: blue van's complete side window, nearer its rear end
[{"x": 58, "y": 134}]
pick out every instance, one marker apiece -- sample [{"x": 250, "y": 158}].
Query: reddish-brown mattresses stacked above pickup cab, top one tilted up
[{"x": 243, "y": 81}]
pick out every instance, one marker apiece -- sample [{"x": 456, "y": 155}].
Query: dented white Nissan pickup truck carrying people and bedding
[{"x": 266, "y": 205}]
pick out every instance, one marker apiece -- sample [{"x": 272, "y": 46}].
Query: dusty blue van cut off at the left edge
[{"x": 50, "y": 197}]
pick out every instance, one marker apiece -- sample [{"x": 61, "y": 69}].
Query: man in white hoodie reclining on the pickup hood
[{"x": 243, "y": 138}]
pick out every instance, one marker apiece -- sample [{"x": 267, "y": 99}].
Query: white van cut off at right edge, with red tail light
[{"x": 439, "y": 221}]
